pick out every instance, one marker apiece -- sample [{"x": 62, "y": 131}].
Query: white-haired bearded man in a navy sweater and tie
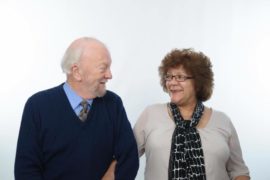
[{"x": 75, "y": 130}]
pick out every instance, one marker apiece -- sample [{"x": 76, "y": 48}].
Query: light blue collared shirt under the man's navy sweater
[{"x": 74, "y": 99}]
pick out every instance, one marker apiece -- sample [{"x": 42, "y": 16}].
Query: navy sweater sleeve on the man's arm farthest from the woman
[{"x": 28, "y": 156}]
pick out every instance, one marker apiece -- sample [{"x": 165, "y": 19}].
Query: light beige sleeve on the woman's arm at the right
[{"x": 235, "y": 165}]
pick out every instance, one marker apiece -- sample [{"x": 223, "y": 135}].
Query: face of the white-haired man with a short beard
[{"x": 94, "y": 68}]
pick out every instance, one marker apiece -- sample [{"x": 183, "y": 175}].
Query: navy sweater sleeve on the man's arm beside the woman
[{"x": 126, "y": 152}]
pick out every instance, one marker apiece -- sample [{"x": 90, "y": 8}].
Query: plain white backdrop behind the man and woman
[{"x": 235, "y": 34}]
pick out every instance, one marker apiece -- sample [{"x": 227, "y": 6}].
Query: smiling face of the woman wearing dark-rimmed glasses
[{"x": 182, "y": 90}]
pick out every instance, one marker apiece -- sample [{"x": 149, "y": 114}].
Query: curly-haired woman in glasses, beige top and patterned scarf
[{"x": 184, "y": 139}]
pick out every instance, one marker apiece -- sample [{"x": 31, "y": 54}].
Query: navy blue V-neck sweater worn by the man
[{"x": 54, "y": 144}]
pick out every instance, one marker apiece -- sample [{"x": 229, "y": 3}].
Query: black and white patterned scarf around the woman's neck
[{"x": 186, "y": 158}]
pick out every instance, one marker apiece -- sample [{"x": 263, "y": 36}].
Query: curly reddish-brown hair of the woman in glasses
[{"x": 195, "y": 64}]
